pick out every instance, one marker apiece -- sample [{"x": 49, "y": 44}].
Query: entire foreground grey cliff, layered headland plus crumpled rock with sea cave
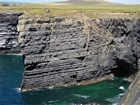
[{"x": 64, "y": 50}]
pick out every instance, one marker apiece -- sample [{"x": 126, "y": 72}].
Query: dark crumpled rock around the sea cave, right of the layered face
[{"x": 126, "y": 43}]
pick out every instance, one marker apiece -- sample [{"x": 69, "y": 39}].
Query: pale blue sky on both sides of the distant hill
[{"x": 118, "y": 1}]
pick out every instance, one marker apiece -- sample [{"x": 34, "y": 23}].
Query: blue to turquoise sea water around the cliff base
[{"x": 11, "y": 68}]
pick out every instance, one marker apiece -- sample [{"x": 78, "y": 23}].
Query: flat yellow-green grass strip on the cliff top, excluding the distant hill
[{"x": 67, "y": 9}]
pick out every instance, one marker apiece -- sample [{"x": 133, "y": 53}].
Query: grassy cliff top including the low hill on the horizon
[{"x": 90, "y": 8}]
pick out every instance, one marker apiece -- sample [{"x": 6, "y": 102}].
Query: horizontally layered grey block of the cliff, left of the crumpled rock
[{"x": 59, "y": 51}]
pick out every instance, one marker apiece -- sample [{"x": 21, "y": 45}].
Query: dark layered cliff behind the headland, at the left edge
[{"x": 9, "y": 33}]
